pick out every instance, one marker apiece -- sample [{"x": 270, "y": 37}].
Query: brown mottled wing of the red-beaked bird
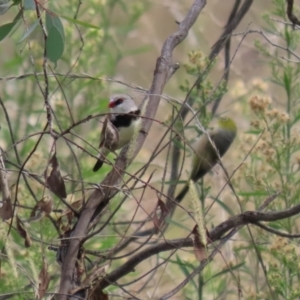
[{"x": 109, "y": 135}]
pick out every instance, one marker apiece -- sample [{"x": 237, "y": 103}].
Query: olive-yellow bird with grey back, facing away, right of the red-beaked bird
[{"x": 205, "y": 156}]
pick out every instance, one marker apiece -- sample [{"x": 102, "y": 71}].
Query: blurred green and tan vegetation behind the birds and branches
[{"x": 114, "y": 49}]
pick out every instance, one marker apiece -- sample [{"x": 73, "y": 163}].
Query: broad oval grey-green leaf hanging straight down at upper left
[{"x": 56, "y": 38}]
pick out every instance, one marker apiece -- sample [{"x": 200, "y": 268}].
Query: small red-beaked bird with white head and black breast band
[{"x": 118, "y": 126}]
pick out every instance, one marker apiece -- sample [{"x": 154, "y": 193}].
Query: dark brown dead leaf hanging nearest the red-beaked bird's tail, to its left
[{"x": 55, "y": 181}]
